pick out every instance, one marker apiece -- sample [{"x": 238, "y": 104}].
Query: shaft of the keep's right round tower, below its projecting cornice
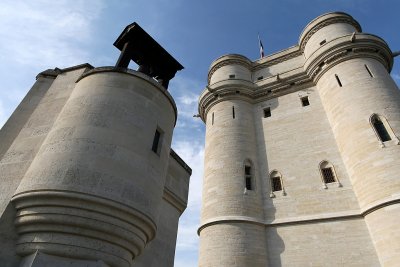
[{"x": 376, "y": 177}]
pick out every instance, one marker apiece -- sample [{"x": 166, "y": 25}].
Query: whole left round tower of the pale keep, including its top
[{"x": 232, "y": 187}]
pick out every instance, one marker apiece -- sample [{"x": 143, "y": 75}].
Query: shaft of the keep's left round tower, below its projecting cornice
[{"x": 230, "y": 145}]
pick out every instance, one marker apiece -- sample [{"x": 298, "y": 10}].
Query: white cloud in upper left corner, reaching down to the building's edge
[{"x": 41, "y": 34}]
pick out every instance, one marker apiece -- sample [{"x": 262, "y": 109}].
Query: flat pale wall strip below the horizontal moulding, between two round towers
[{"x": 330, "y": 244}]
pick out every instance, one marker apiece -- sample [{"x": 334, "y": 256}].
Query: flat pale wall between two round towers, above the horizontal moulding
[{"x": 293, "y": 141}]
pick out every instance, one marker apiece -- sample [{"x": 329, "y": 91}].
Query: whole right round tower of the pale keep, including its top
[{"x": 362, "y": 103}]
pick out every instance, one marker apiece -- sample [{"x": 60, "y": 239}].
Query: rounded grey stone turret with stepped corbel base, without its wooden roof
[{"x": 84, "y": 194}]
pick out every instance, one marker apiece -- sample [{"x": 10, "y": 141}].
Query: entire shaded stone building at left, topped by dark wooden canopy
[{"x": 88, "y": 177}]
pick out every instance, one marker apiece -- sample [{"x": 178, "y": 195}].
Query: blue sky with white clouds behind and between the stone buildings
[{"x": 41, "y": 34}]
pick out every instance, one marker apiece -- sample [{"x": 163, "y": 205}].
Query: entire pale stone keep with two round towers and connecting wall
[{"x": 302, "y": 157}]
